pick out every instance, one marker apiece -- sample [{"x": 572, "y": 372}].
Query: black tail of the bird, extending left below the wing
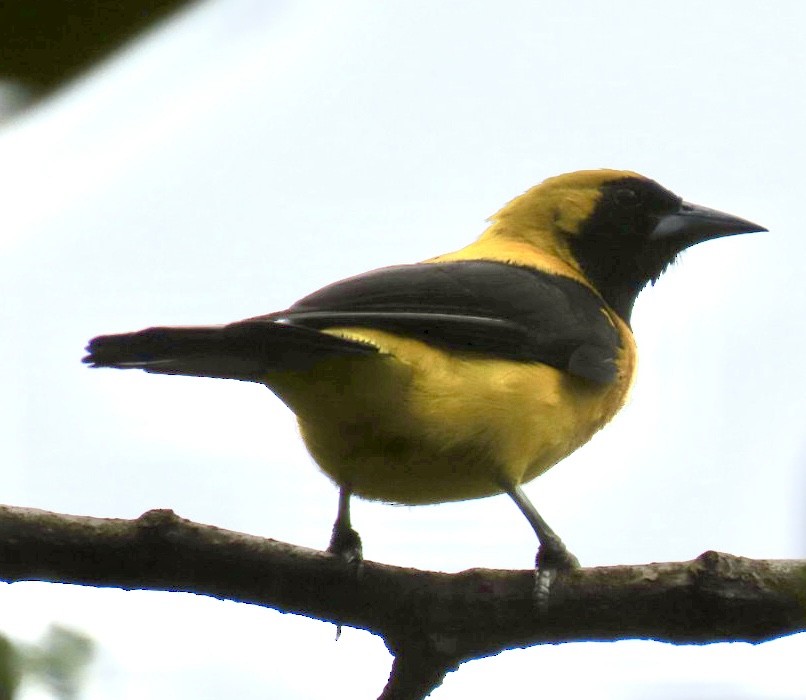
[{"x": 246, "y": 350}]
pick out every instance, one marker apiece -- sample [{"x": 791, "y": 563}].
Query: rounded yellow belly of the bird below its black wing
[{"x": 417, "y": 425}]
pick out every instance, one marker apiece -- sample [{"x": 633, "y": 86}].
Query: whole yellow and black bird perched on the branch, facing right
[{"x": 468, "y": 374}]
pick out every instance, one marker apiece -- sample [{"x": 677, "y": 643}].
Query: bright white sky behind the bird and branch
[{"x": 249, "y": 153}]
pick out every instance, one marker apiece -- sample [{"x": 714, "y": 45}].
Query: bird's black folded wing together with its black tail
[{"x": 475, "y": 307}]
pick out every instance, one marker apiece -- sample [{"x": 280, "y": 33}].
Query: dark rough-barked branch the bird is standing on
[{"x": 432, "y": 622}]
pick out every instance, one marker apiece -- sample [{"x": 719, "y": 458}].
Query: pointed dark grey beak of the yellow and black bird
[{"x": 692, "y": 224}]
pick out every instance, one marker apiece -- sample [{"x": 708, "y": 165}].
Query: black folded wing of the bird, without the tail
[{"x": 478, "y": 307}]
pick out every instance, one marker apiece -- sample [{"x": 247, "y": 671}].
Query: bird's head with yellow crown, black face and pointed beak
[{"x": 620, "y": 229}]
